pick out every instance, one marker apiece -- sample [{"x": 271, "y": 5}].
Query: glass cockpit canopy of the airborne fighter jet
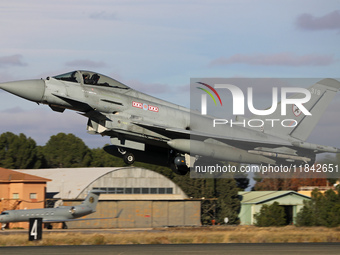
[{"x": 90, "y": 78}]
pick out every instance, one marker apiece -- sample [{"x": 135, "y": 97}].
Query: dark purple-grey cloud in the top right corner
[{"x": 330, "y": 21}]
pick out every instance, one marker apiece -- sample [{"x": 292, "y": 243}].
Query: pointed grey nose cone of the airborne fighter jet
[{"x": 32, "y": 90}]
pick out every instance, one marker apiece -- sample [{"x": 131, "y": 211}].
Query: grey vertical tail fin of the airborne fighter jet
[{"x": 322, "y": 94}]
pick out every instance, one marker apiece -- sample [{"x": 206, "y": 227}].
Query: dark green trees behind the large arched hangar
[{"x": 219, "y": 196}]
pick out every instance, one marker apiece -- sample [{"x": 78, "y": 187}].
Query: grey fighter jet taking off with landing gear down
[{"x": 151, "y": 130}]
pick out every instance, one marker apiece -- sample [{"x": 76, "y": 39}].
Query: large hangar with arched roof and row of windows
[{"x": 144, "y": 197}]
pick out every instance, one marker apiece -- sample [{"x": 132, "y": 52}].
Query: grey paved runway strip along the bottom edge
[{"x": 164, "y": 249}]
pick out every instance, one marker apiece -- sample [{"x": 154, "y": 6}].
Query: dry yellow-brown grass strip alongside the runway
[{"x": 216, "y": 234}]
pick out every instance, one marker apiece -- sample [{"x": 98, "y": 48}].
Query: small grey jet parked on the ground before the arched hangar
[{"x": 59, "y": 214}]
